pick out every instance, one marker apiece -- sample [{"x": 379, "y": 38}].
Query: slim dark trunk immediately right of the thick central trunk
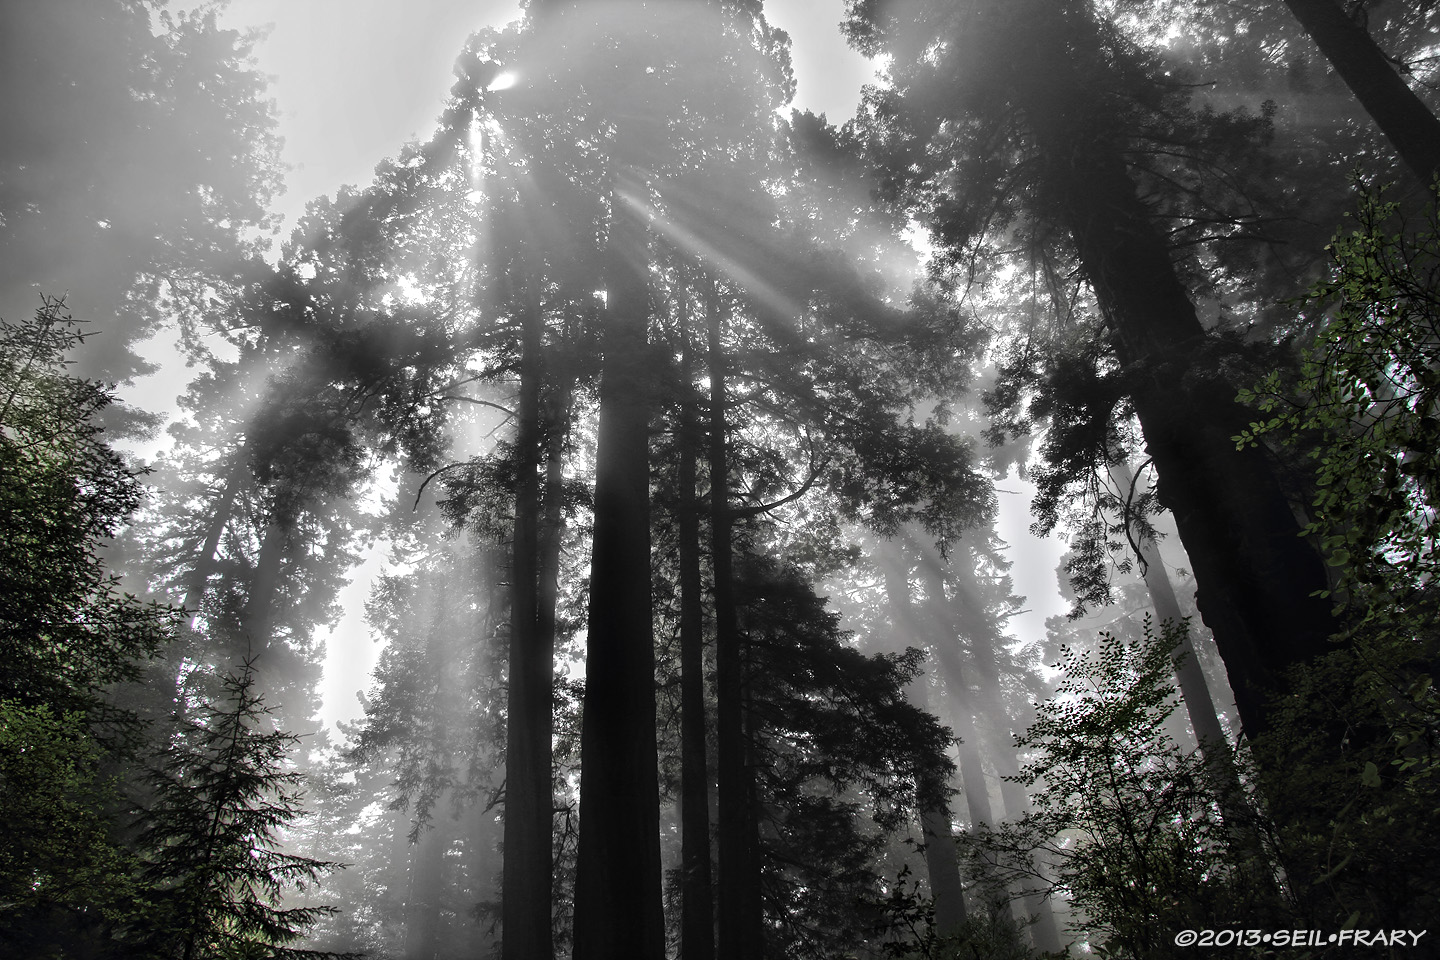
[{"x": 698, "y": 930}]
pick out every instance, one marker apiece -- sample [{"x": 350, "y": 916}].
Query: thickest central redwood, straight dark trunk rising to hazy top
[{"x": 618, "y": 876}]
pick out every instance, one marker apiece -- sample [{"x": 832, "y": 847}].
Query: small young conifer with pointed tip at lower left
[{"x": 222, "y": 804}]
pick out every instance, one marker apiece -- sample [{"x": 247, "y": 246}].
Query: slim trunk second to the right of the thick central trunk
[{"x": 741, "y": 910}]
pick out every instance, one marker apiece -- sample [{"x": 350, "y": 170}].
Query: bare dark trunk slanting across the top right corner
[{"x": 1396, "y": 109}]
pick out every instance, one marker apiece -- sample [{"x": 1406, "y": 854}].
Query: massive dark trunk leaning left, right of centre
[{"x": 1255, "y": 575}]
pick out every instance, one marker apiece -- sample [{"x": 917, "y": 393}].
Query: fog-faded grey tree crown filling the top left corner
[{"x": 139, "y": 159}]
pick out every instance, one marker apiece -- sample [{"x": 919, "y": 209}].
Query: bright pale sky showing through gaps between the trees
[{"x": 354, "y": 80}]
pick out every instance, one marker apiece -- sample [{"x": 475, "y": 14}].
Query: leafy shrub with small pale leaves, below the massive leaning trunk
[{"x": 1128, "y": 821}]
